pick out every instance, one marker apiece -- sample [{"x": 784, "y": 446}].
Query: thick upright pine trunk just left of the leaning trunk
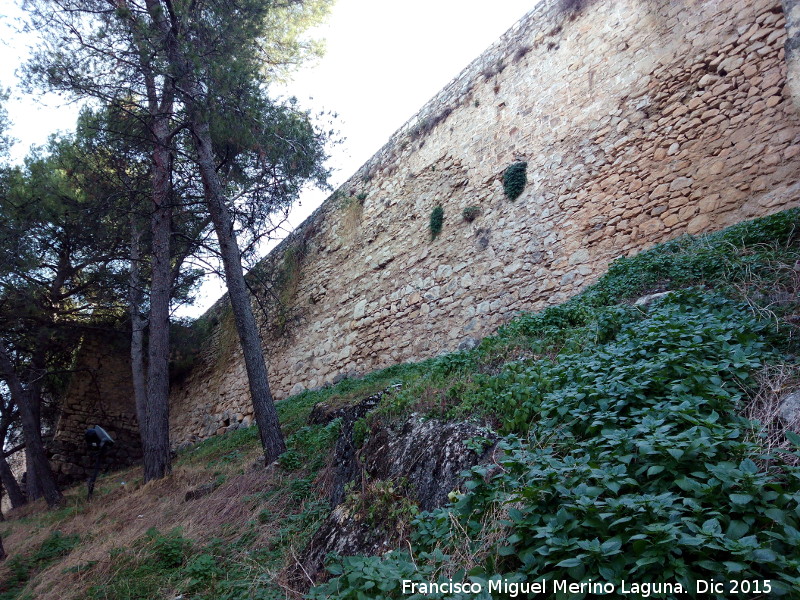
[{"x": 155, "y": 430}]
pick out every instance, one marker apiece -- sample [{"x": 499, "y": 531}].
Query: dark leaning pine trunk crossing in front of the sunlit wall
[{"x": 263, "y": 403}]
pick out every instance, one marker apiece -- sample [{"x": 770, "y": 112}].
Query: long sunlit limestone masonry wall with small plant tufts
[{"x": 639, "y": 120}]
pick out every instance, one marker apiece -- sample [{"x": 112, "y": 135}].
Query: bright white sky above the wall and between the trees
[{"x": 383, "y": 61}]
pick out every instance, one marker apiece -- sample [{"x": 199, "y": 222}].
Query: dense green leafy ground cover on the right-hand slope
[{"x": 625, "y": 457}]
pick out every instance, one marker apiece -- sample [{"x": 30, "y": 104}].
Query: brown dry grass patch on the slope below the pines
[{"x": 119, "y": 515}]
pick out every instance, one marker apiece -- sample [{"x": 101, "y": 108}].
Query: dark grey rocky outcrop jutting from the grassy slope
[{"x": 416, "y": 462}]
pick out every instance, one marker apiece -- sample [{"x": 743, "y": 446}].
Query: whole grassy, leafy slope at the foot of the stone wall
[{"x": 624, "y": 453}]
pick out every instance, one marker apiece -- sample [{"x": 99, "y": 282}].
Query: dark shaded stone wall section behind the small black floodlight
[{"x": 100, "y": 393}]
